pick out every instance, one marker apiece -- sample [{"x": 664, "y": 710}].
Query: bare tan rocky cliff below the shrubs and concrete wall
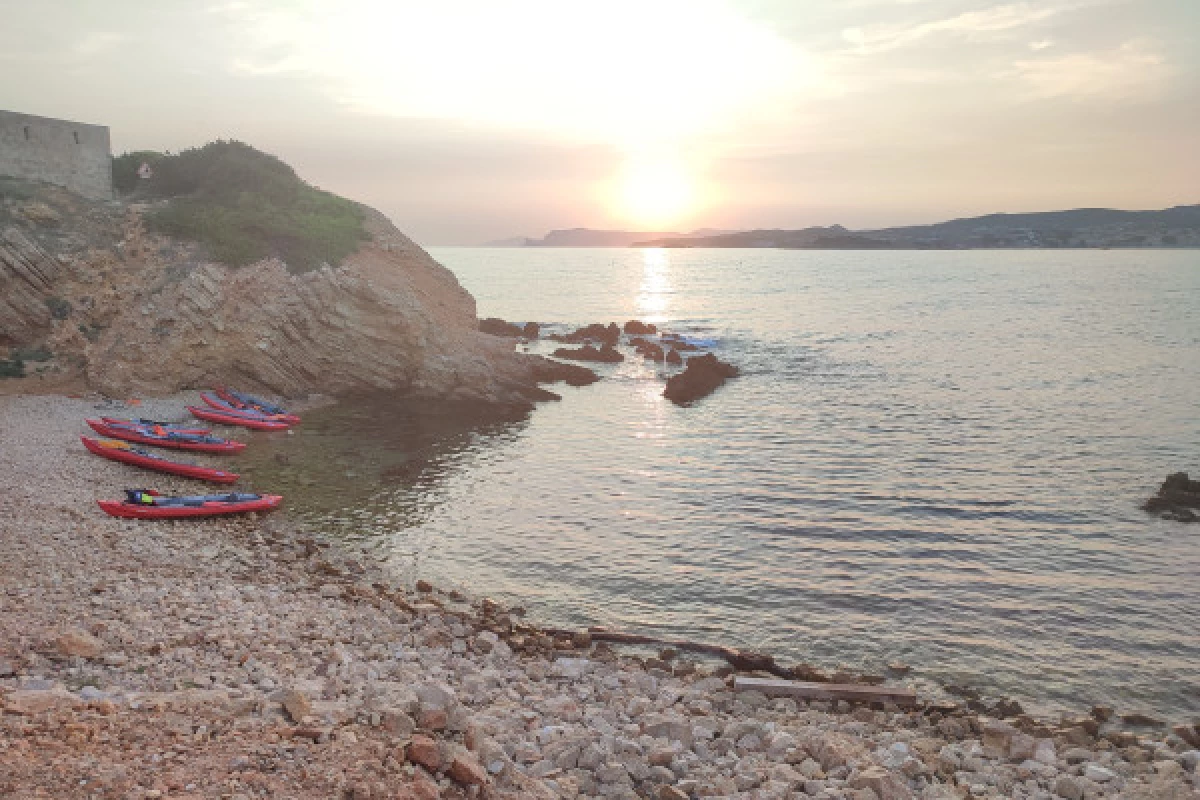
[{"x": 135, "y": 312}]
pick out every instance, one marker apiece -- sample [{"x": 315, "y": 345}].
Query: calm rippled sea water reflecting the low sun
[{"x": 932, "y": 458}]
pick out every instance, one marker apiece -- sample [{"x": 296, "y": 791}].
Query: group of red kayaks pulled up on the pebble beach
[{"x": 225, "y": 407}]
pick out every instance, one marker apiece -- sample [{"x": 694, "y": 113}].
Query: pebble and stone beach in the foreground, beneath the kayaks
[{"x": 244, "y": 659}]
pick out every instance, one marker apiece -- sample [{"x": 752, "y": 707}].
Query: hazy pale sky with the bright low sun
[{"x": 472, "y": 121}]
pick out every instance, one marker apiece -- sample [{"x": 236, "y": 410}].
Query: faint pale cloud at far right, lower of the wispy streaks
[{"x": 1137, "y": 68}]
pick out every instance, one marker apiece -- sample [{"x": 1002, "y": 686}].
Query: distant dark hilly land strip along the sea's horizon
[{"x": 1177, "y": 227}]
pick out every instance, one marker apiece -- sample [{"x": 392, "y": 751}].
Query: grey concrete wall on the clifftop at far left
[{"x": 63, "y": 153}]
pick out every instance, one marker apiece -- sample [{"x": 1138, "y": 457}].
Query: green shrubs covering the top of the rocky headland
[{"x": 244, "y": 206}]
